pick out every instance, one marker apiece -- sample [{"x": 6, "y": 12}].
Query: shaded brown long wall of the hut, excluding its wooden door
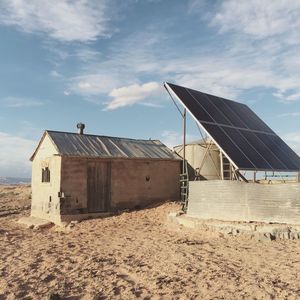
[{"x": 133, "y": 182}]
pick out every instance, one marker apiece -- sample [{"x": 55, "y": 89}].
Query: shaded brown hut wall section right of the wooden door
[{"x": 136, "y": 183}]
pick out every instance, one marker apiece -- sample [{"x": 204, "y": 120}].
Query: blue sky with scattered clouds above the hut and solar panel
[{"x": 104, "y": 63}]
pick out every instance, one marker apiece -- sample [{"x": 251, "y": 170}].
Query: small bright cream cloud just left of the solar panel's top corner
[{"x": 132, "y": 94}]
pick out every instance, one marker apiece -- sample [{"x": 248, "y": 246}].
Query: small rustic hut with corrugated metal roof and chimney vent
[{"x": 77, "y": 175}]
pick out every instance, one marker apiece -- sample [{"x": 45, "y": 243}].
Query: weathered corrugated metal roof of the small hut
[{"x": 73, "y": 144}]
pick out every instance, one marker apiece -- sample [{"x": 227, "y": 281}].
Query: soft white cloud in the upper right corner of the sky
[{"x": 259, "y": 18}]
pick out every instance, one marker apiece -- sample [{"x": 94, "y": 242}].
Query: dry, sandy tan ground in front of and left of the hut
[{"x": 138, "y": 255}]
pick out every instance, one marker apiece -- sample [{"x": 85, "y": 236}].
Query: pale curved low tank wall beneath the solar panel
[{"x": 239, "y": 201}]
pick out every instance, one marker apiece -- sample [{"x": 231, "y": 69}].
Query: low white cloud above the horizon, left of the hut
[{"x": 14, "y": 155}]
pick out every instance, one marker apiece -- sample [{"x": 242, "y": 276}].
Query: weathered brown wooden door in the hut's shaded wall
[{"x": 98, "y": 186}]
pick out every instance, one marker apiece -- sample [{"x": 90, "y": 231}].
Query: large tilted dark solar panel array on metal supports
[{"x": 245, "y": 139}]
